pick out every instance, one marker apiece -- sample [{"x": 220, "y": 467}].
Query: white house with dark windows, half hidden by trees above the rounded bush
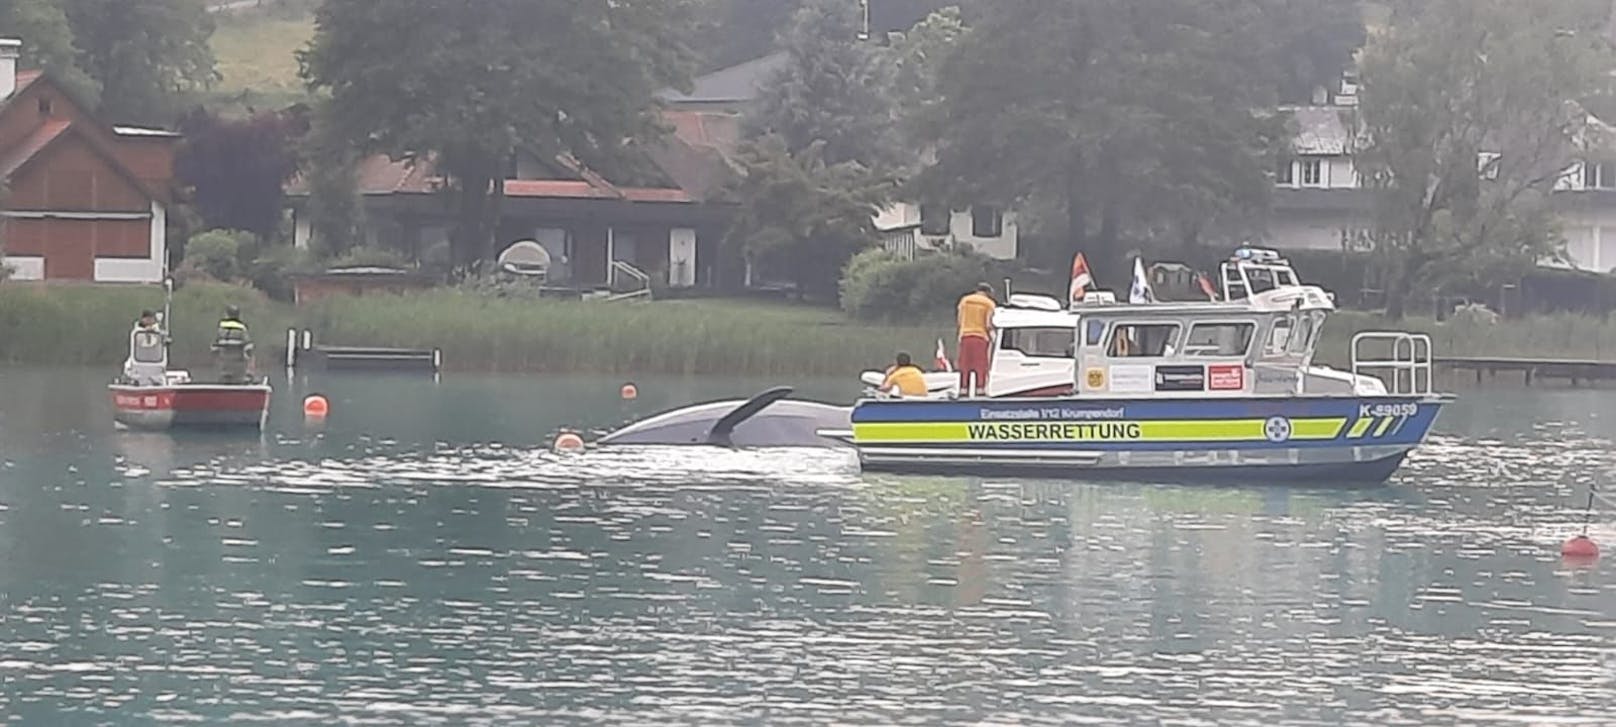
[{"x": 909, "y": 229}]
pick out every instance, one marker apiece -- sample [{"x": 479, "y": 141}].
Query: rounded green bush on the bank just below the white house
[{"x": 885, "y": 287}]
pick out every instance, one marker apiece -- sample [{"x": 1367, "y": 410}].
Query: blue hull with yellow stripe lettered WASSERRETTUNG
[{"x": 1298, "y": 440}]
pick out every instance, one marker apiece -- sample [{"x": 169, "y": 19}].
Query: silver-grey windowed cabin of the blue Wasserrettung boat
[{"x": 1261, "y": 347}]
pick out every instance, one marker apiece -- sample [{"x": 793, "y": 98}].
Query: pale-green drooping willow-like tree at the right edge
[{"x": 1471, "y": 117}]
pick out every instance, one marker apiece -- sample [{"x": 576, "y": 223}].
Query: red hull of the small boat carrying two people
[{"x": 208, "y": 406}]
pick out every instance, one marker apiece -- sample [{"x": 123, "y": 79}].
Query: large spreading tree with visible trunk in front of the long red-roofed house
[{"x": 469, "y": 83}]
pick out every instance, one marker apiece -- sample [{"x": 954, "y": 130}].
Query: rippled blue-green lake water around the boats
[{"x": 424, "y": 560}]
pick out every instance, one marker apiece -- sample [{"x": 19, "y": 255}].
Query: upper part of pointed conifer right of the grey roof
[{"x": 833, "y": 91}]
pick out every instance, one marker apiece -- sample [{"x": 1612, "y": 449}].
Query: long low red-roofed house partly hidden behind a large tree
[{"x": 595, "y": 233}]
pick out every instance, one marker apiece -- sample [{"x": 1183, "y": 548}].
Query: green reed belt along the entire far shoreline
[{"x": 86, "y": 326}]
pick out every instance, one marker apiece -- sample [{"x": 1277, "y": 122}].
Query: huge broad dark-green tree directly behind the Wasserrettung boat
[{"x": 1129, "y": 117}]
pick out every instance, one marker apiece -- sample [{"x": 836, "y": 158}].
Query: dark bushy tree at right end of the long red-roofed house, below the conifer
[{"x": 801, "y": 217}]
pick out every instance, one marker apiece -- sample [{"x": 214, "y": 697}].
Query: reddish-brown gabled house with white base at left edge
[{"x": 85, "y": 201}]
